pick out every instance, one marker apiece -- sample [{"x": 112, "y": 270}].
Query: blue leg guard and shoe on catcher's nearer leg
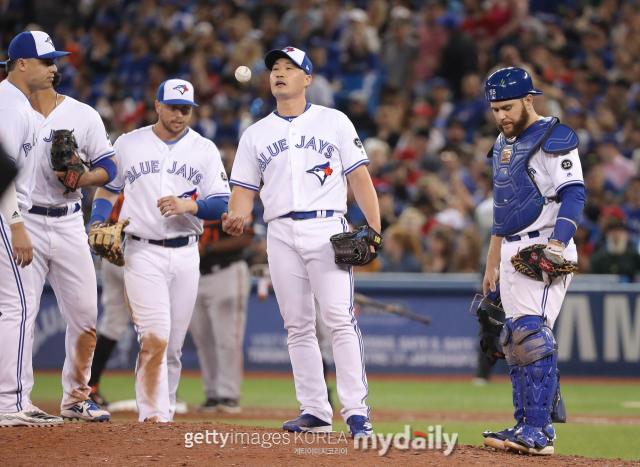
[{"x": 534, "y": 348}]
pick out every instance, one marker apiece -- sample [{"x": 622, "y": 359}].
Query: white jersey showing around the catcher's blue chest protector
[{"x": 552, "y": 173}]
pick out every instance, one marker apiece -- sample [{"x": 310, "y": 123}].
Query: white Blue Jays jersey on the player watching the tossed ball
[{"x": 303, "y": 162}]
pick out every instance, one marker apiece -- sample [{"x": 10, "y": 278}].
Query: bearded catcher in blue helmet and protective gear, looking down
[{"x": 538, "y": 199}]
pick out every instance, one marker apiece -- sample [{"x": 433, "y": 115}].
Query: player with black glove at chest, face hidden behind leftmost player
[{"x": 56, "y": 226}]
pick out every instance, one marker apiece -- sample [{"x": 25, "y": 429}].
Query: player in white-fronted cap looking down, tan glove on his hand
[{"x": 173, "y": 179}]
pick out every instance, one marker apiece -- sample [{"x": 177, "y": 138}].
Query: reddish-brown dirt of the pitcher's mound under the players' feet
[{"x": 131, "y": 443}]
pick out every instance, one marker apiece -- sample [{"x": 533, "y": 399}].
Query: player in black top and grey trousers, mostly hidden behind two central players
[{"x": 220, "y": 315}]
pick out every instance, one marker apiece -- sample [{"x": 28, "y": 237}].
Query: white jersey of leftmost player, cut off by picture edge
[{"x": 18, "y": 137}]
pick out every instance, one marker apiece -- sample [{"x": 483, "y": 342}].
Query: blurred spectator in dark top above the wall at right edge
[{"x": 619, "y": 256}]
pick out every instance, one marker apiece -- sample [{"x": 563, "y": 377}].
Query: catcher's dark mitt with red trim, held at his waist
[{"x": 534, "y": 262}]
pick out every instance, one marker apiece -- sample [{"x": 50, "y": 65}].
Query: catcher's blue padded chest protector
[{"x": 516, "y": 198}]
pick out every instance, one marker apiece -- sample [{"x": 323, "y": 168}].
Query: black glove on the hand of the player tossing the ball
[{"x": 353, "y": 247}]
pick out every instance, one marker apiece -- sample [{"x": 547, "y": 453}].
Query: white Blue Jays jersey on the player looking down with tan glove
[{"x": 149, "y": 169}]
